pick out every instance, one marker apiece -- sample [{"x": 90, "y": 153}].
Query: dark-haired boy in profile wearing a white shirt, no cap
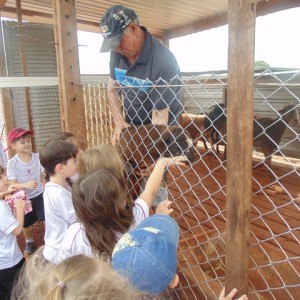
[{"x": 59, "y": 160}]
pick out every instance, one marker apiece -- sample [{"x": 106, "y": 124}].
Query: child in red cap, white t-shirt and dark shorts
[{"x": 24, "y": 172}]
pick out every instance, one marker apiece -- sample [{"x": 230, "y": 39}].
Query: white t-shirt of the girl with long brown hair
[{"x": 76, "y": 242}]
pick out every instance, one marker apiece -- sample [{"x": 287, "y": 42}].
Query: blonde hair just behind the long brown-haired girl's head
[{"x": 102, "y": 156}]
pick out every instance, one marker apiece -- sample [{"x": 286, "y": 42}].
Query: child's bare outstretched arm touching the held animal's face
[{"x": 154, "y": 181}]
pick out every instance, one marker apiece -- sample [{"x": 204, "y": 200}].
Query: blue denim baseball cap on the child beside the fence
[{"x": 147, "y": 256}]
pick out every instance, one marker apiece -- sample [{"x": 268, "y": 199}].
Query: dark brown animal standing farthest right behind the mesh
[{"x": 267, "y": 132}]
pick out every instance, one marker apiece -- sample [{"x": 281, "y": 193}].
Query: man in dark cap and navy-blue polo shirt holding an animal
[{"x": 144, "y": 83}]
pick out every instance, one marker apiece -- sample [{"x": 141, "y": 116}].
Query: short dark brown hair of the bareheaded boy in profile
[{"x": 55, "y": 153}]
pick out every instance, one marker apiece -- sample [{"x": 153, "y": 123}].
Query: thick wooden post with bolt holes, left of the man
[{"x": 70, "y": 88}]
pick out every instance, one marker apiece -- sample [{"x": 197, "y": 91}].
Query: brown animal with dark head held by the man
[{"x": 141, "y": 146}]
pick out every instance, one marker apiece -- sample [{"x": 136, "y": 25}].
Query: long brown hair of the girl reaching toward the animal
[{"x": 101, "y": 205}]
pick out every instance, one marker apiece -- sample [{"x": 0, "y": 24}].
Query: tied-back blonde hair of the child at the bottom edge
[{"x": 78, "y": 277}]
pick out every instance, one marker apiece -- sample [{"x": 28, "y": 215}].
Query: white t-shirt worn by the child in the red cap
[{"x": 25, "y": 172}]
